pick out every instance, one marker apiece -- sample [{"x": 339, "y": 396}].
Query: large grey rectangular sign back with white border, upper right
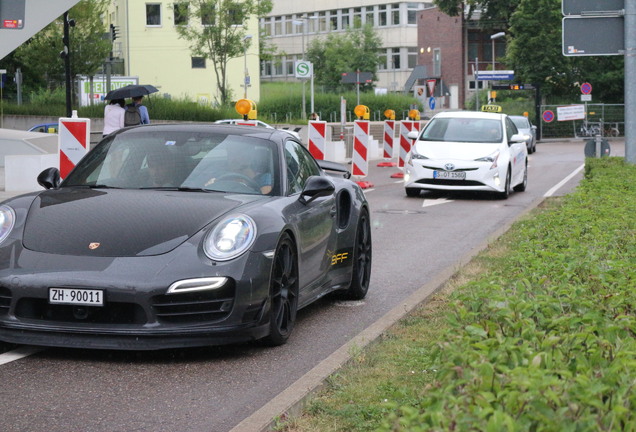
[{"x": 593, "y": 36}]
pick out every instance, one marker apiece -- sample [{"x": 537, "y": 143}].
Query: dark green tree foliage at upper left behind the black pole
[{"x": 39, "y": 58}]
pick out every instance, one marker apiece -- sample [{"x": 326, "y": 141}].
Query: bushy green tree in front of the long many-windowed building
[{"x": 357, "y": 49}]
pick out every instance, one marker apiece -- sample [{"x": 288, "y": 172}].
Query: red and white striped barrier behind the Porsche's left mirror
[{"x": 74, "y": 137}]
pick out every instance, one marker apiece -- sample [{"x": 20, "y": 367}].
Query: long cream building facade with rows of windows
[{"x": 293, "y": 24}]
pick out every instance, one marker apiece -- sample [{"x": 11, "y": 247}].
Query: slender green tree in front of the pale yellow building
[{"x": 220, "y": 33}]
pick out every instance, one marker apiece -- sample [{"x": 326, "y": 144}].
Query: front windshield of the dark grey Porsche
[{"x": 180, "y": 160}]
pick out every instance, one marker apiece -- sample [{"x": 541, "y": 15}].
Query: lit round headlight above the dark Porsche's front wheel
[{"x": 230, "y": 238}]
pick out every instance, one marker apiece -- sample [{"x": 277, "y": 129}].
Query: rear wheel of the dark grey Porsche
[{"x": 361, "y": 260}]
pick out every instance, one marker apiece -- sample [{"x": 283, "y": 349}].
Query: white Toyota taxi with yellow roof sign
[{"x": 466, "y": 150}]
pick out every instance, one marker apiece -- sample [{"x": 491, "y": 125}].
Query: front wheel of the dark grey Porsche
[{"x": 283, "y": 292}]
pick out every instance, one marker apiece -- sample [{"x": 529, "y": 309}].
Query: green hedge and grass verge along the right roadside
[{"x": 537, "y": 333}]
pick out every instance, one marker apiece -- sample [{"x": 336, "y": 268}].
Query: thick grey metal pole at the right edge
[{"x": 630, "y": 83}]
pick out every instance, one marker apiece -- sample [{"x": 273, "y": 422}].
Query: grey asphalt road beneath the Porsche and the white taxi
[{"x": 415, "y": 241}]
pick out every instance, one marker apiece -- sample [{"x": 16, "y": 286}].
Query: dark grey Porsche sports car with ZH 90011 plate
[{"x": 168, "y": 236}]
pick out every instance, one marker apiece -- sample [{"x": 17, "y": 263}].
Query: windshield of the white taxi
[{"x": 459, "y": 129}]
